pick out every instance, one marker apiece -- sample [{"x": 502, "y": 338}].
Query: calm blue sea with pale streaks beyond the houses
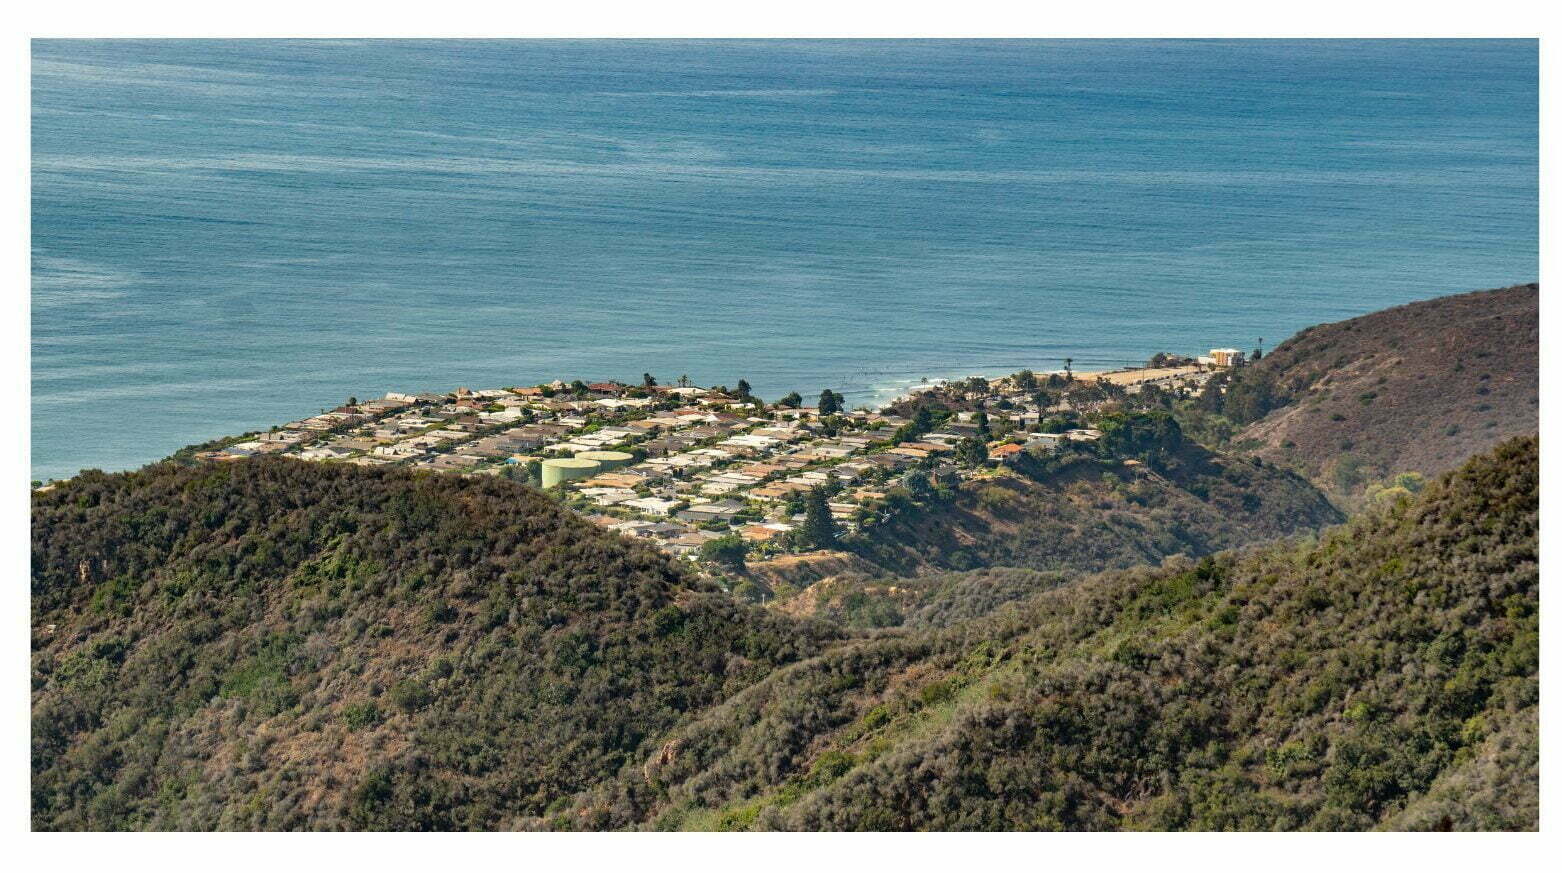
[{"x": 230, "y": 235}]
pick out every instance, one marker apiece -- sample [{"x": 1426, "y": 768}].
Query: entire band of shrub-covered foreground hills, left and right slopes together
[{"x": 273, "y": 644}]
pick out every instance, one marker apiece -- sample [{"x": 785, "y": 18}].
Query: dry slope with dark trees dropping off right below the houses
[{"x": 1085, "y": 513}]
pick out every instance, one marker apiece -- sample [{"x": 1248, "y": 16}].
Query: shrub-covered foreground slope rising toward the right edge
[{"x": 1382, "y": 677}]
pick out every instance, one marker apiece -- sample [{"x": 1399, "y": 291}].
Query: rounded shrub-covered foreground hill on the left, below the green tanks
[{"x": 276, "y": 644}]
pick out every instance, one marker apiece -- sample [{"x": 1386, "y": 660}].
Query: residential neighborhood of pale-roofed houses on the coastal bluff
[{"x": 683, "y": 466}]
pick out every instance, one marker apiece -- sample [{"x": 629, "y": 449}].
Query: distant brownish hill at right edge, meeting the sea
[{"x": 1411, "y": 390}]
